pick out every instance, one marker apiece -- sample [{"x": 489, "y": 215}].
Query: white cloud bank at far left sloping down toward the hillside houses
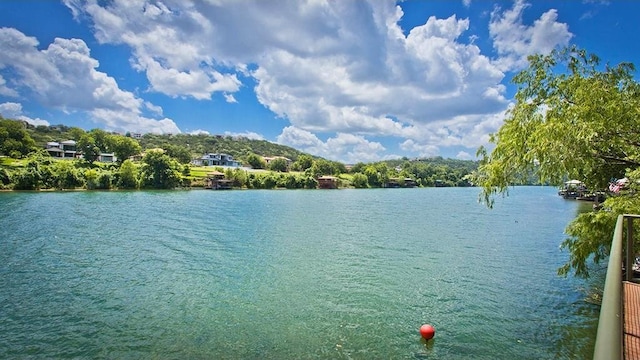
[{"x": 64, "y": 76}]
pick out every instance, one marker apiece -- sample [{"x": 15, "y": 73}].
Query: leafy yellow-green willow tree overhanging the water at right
[{"x": 572, "y": 118}]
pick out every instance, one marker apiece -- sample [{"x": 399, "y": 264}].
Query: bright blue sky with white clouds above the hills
[{"x": 349, "y": 80}]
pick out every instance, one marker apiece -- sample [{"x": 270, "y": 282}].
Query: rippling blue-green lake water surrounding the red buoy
[{"x": 294, "y": 274}]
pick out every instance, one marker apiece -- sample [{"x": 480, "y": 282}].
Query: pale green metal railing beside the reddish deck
[{"x": 609, "y": 339}]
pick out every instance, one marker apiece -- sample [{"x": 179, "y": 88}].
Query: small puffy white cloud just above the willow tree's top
[{"x": 514, "y": 41}]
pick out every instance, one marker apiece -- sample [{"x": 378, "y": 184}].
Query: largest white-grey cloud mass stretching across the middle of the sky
[{"x": 332, "y": 67}]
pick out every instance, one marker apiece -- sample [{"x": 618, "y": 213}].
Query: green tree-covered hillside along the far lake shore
[{"x": 165, "y": 162}]
